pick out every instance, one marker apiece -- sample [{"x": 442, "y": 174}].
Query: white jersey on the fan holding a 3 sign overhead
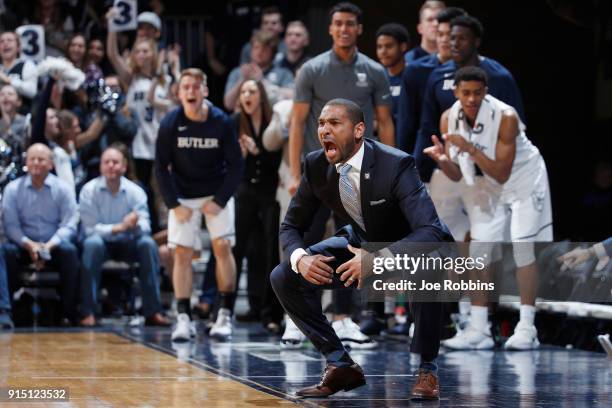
[{"x": 143, "y": 146}]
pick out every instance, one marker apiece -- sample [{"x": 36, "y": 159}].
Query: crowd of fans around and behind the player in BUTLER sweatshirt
[{"x": 88, "y": 124}]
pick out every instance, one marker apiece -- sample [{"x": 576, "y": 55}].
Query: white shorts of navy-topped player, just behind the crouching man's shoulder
[{"x": 447, "y": 196}]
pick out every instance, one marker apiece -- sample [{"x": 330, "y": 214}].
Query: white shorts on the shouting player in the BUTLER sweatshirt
[{"x": 188, "y": 234}]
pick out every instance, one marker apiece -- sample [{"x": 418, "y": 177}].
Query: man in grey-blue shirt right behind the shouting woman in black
[{"x": 277, "y": 81}]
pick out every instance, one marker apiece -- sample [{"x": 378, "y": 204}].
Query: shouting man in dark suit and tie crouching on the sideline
[{"x": 376, "y": 190}]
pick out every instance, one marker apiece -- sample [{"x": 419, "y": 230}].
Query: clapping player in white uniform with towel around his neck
[{"x": 486, "y": 147}]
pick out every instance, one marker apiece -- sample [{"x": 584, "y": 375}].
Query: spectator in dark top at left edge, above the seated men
[{"x": 14, "y": 132}]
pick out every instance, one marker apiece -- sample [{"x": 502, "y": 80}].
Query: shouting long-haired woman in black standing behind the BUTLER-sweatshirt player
[{"x": 257, "y": 210}]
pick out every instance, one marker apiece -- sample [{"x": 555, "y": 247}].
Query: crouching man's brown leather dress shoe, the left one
[{"x": 335, "y": 379}]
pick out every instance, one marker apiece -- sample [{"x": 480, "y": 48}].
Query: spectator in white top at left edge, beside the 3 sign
[{"x": 18, "y": 72}]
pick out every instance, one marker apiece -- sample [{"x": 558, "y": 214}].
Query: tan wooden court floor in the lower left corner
[{"x": 104, "y": 370}]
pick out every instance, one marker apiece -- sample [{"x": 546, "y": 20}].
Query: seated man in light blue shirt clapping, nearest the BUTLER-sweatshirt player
[{"x": 116, "y": 223}]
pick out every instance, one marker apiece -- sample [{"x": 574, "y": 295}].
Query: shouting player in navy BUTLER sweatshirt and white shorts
[{"x": 198, "y": 166}]
